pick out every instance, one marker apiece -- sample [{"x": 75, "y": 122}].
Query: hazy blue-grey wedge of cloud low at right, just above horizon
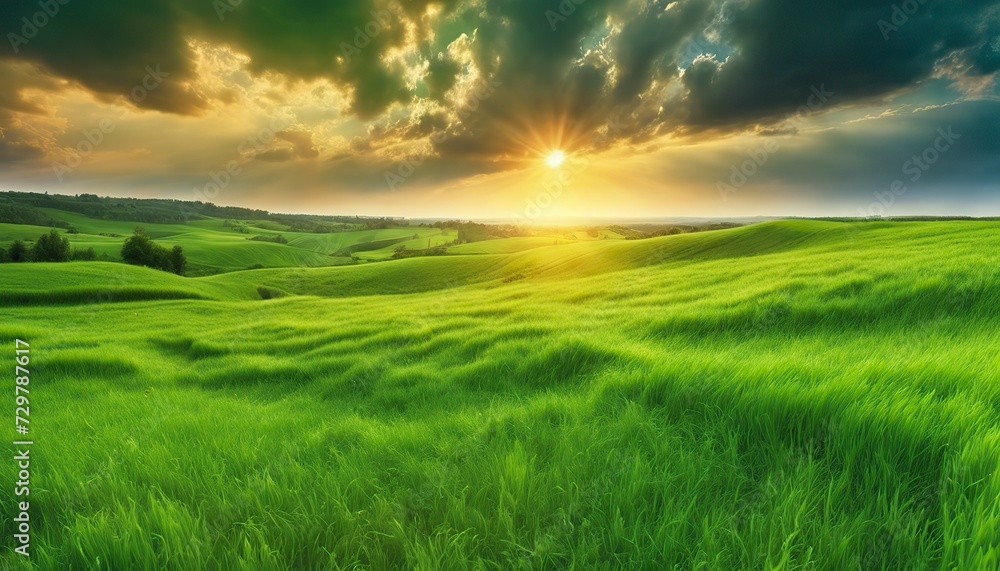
[{"x": 865, "y": 157}]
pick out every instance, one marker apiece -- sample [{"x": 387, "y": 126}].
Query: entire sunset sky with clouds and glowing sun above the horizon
[{"x": 454, "y": 108}]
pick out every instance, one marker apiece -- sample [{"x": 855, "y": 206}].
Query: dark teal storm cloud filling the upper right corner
[{"x": 858, "y": 49}]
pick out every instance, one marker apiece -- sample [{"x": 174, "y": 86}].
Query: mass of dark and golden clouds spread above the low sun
[{"x": 467, "y": 87}]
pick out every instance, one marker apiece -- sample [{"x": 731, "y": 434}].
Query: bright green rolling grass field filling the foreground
[{"x": 788, "y": 395}]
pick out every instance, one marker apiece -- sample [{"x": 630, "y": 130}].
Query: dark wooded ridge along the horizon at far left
[{"x": 23, "y": 208}]
